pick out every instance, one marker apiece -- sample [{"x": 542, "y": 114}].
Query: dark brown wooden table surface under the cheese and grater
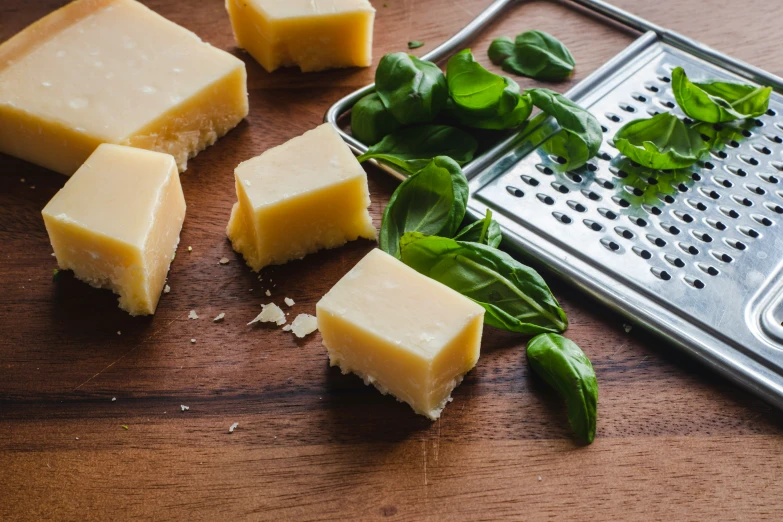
[{"x": 674, "y": 441}]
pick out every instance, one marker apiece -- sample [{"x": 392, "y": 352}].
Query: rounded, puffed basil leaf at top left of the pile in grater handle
[{"x": 413, "y": 90}]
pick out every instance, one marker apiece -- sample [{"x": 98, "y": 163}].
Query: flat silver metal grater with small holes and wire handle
[{"x": 695, "y": 254}]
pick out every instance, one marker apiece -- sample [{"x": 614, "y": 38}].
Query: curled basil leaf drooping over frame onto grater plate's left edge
[{"x": 581, "y": 134}]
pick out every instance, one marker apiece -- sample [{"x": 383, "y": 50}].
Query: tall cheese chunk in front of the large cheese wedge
[{"x": 116, "y": 223}]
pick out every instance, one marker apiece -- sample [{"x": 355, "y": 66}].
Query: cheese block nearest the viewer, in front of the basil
[{"x": 400, "y": 331}]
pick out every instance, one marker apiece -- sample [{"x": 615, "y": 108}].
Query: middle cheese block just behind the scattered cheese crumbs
[{"x": 307, "y": 194}]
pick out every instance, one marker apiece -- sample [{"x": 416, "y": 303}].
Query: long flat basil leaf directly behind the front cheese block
[{"x": 514, "y": 296}]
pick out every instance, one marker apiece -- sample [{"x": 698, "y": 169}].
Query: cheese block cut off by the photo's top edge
[{"x": 314, "y": 35}]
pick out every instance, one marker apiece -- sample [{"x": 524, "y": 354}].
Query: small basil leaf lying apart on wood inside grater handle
[{"x": 535, "y": 54}]
